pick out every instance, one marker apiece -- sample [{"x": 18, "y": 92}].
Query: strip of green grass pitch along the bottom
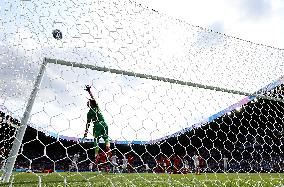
[{"x": 147, "y": 179}]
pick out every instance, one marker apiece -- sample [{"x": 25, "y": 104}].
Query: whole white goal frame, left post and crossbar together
[{"x": 9, "y": 164}]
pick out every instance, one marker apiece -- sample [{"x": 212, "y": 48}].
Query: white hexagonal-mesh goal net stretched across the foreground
[{"x": 176, "y": 99}]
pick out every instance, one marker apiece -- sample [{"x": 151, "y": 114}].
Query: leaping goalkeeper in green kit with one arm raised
[{"x": 95, "y": 116}]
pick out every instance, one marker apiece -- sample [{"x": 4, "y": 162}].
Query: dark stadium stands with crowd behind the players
[{"x": 224, "y": 145}]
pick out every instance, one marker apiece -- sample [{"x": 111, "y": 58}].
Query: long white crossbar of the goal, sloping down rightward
[{"x": 164, "y": 79}]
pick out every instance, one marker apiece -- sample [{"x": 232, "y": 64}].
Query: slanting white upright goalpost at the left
[{"x": 10, "y": 162}]
